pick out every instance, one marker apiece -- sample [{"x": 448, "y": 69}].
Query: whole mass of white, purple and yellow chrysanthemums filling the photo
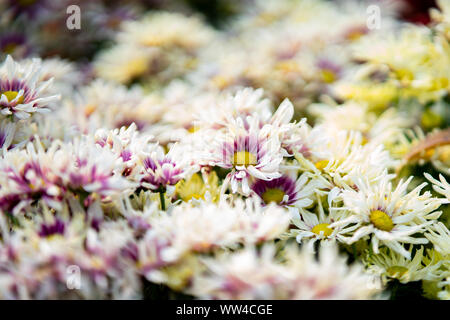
[{"x": 295, "y": 154}]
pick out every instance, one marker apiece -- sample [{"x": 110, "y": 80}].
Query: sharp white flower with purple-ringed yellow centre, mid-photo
[{"x": 249, "y": 151}]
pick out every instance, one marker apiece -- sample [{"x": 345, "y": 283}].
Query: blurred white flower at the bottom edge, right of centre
[{"x": 249, "y": 274}]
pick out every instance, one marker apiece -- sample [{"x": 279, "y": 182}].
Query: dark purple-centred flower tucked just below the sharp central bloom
[{"x": 288, "y": 190}]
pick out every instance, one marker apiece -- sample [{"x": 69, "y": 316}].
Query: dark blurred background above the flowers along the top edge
[{"x": 37, "y": 27}]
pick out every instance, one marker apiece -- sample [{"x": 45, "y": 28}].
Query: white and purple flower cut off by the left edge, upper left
[{"x": 21, "y": 92}]
